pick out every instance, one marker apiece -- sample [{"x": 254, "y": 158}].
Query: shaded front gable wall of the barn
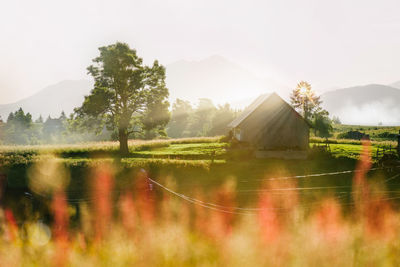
[{"x": 276, "y": 126}]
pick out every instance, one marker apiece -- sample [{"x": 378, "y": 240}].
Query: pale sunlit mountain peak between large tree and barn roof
[{"x": 217, "y": 78}]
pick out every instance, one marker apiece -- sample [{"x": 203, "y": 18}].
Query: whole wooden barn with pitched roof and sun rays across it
[{"x": 273, "y": 128}]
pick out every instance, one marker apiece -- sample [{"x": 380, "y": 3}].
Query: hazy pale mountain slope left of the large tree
[{"x": 63, "y": 96}]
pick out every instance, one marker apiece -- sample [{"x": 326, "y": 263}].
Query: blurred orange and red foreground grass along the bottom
[{"x": 147, "y": 226}]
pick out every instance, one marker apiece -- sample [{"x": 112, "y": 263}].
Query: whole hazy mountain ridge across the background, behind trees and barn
[{"x": 226, "y": 82}]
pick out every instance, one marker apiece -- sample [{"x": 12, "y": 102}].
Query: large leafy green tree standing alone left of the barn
[{"x": 123, "y": 88}]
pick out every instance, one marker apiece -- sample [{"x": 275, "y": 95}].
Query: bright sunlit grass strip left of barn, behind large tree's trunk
[{"x": 10, "y": 155}]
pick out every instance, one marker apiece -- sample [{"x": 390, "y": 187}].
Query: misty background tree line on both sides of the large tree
[{"x": 186, "y": 120}]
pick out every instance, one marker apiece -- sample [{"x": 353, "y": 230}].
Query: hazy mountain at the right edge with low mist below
[{"x": 367, "y": 105}]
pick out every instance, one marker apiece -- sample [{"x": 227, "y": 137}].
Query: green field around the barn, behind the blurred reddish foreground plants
[{"x": 196, "y": 163}]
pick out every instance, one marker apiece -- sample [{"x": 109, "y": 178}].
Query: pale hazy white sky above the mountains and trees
[{"x": 328, "y": 43}]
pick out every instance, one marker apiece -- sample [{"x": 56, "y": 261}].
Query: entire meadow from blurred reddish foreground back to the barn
[{"x": 196, "y": 202}]
